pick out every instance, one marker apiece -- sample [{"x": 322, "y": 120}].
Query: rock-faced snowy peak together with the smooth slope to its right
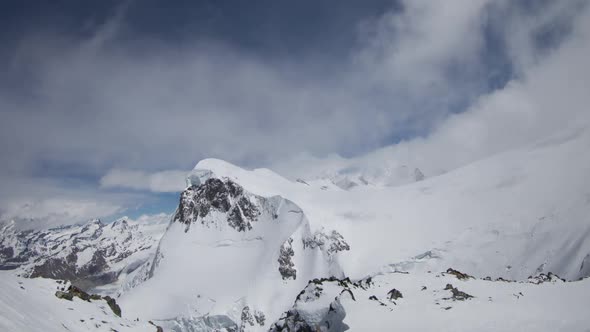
[{"x": 513, "y": 215}]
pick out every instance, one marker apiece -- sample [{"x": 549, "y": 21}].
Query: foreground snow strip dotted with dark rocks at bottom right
[{"x": 426, "y": 302}]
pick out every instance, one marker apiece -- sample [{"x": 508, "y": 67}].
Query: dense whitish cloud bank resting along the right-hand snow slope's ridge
[{"x": 551, "y": 96}]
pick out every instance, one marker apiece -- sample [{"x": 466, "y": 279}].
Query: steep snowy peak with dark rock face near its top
[{"x": 226, "y": 250}]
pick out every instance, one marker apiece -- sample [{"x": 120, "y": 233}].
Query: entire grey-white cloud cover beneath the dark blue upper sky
[{"x": 111, "y": 109}]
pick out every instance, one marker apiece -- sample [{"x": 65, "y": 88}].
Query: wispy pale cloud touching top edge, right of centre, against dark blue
[{"x": 416, "y": 47}]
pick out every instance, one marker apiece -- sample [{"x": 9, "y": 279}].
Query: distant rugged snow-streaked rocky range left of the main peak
[{"x": 89, "y": 255}]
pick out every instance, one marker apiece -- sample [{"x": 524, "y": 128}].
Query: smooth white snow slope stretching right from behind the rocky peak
[{"x": 512, "y": 215}]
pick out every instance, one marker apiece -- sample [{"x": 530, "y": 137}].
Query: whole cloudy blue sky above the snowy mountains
[{"x": 105, "y": 105}]
